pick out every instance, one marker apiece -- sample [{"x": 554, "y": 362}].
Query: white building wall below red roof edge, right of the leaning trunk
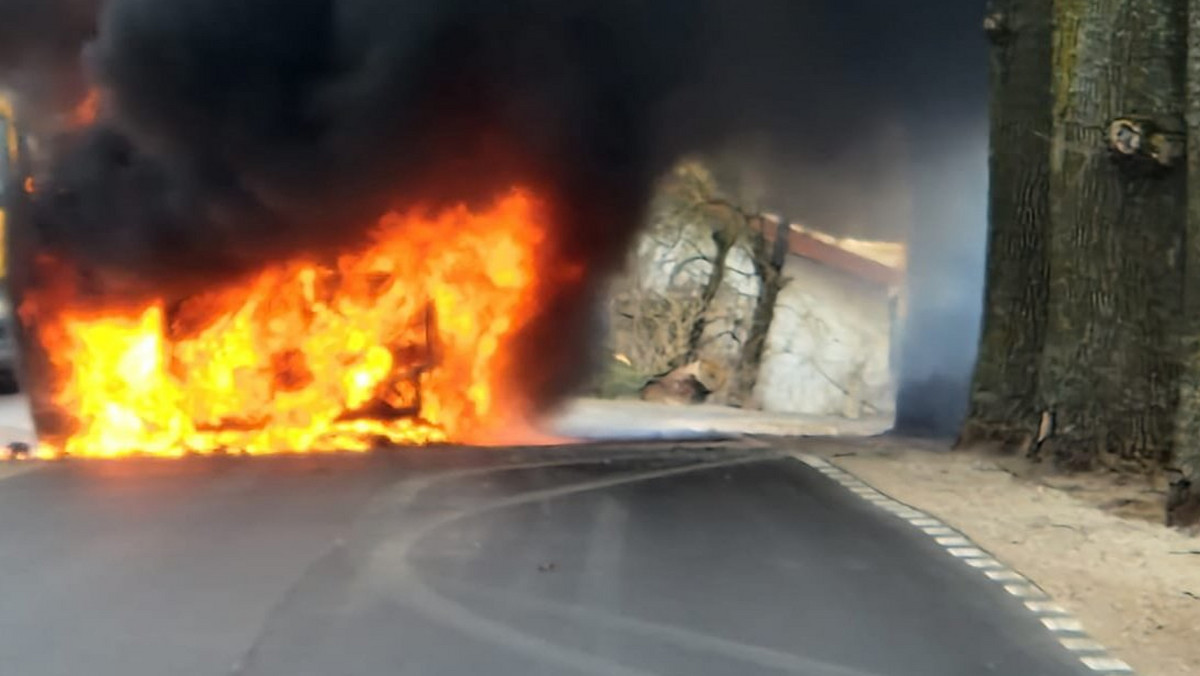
[{"x": 829, "y": 348}]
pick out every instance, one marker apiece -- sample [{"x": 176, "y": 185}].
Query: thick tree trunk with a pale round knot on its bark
[{"x": 1109, "y": 374}]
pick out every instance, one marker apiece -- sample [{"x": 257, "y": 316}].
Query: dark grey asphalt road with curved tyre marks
[{"x": 621, "y": 560}]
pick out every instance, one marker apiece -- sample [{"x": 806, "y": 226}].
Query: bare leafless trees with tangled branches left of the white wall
[{"x": 681, "y": 319}]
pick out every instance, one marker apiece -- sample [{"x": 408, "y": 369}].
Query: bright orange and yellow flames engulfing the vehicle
[{"x": 406, "y": 342}]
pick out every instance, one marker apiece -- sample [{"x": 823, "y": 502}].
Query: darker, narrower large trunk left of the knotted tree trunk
[{"x": 1006, "y": 376}]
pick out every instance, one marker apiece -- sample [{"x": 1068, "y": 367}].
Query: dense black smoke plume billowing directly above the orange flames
[{"x": 233, "y": 133}]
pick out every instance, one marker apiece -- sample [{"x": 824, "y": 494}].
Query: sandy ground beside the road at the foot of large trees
[{"x": 1089, "y": 542}]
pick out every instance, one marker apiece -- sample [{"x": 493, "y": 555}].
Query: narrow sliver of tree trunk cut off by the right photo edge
[{"x": 1184, "y": 500}]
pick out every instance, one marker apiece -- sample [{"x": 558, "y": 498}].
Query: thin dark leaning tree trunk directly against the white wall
[{"x": 770, "y": 255}]
